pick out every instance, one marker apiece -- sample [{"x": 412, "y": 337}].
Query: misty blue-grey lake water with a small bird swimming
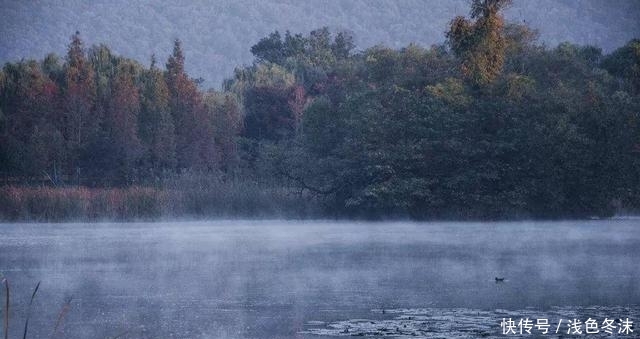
[{"x": 275, "y": 279}]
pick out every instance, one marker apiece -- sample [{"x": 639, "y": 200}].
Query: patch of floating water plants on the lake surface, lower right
[{"x": 466, "y": 323}]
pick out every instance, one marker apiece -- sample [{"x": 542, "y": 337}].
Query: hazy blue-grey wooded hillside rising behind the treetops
[{"x": 217, "y": 35}]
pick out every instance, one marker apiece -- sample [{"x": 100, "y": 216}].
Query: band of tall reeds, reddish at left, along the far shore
[{"x": 186, "y": 196}]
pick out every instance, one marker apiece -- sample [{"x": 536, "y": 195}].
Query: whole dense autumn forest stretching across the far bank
[{"x": 490, "y": 124}]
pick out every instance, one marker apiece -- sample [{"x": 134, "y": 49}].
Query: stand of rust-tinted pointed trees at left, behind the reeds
[{"x": 101, "y": 119}]
